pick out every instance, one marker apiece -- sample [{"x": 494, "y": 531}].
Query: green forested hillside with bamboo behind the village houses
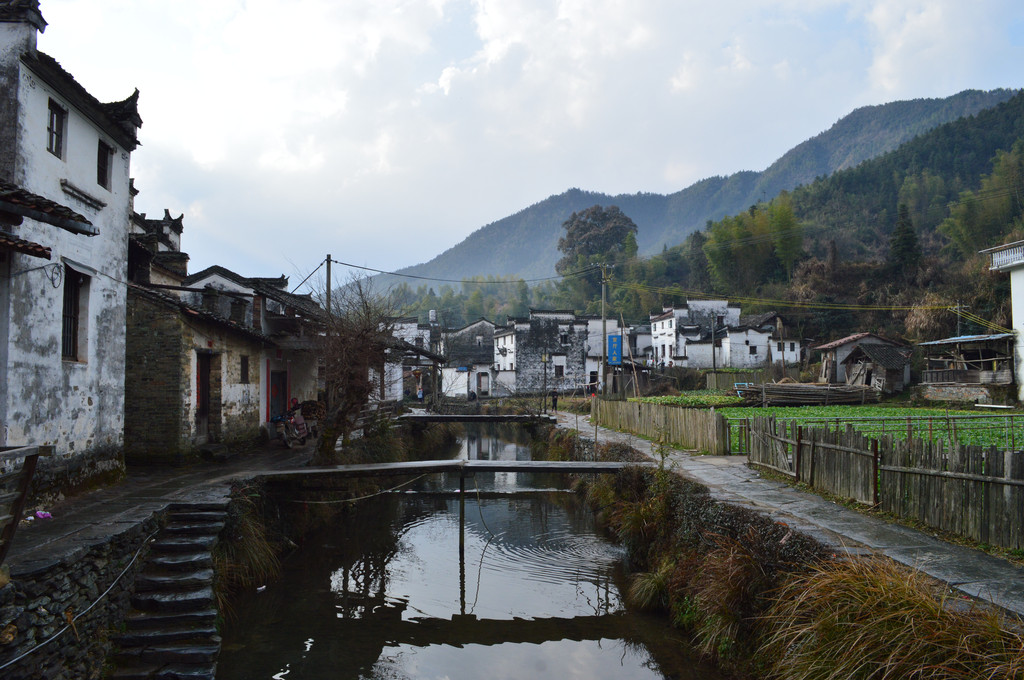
[{"x": 888, "y": 246}]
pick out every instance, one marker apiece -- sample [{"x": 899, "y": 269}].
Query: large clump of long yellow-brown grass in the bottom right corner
[{"x": 874, "y": 619}]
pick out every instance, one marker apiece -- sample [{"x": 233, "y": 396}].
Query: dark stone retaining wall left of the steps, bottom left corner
[{"x": 34, "y": 607}]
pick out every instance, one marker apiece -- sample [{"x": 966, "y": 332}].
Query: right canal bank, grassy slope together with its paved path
[{"x": 776, "y": 583}]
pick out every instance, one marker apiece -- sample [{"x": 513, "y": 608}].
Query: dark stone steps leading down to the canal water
[{"x": 172, "y": 633}]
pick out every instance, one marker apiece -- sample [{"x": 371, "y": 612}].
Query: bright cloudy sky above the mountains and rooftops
[{"x": 385, "y": 132}]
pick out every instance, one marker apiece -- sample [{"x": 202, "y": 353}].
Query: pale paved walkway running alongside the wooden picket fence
[{"x": 969, "y": 572}]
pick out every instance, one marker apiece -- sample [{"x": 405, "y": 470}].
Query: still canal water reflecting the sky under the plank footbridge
[{"x": 387, "y": 592}]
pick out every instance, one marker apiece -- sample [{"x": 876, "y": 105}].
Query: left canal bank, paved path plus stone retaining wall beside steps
[{"x": 73, "y": 574}]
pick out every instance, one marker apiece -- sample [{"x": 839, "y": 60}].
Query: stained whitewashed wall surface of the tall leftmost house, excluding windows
[{"x": 76, "y": 406}]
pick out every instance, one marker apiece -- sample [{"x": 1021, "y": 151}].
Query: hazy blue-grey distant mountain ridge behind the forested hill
[{"x": 526, "y": 244}]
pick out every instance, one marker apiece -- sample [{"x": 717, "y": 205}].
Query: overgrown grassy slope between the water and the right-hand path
[{"x": 767, "y": 603}]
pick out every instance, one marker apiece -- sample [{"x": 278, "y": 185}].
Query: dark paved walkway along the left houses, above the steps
[{"x": 90, "y": 520}]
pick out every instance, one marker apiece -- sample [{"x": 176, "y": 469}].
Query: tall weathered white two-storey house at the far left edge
[{"x": 65, "y": 212}]
